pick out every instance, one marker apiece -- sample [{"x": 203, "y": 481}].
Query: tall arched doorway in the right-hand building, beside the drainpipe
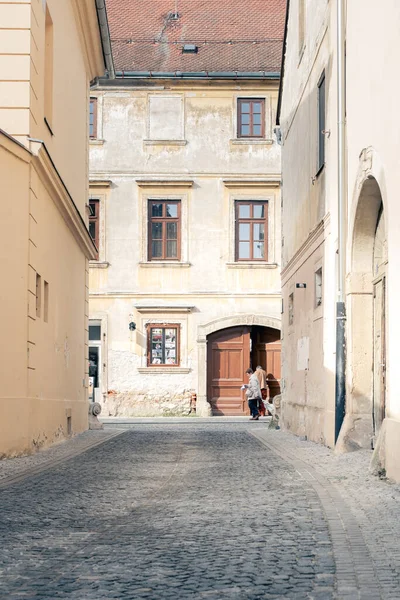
[{"x": 367, "y": 317}]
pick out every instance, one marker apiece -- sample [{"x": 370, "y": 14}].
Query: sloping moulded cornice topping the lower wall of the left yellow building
[{"x": 61, "y": 197}]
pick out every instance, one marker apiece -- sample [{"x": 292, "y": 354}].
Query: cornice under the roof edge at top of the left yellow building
[{"x": 89, "y": 36}]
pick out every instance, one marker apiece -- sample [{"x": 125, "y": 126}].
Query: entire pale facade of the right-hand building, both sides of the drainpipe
[{"x": 310, "y": 229}]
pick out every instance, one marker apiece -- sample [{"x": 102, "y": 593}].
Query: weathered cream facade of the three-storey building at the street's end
[{"x": 177, "y": 140}]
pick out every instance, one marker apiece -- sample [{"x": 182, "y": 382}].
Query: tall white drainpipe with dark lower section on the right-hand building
[{"x": 340, "y": 380}]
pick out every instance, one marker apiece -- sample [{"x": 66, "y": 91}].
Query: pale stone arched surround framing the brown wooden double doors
[{"x": 203, "y": 408}]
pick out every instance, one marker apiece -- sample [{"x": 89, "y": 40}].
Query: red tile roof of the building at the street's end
[{"x": 231, "y": 35}]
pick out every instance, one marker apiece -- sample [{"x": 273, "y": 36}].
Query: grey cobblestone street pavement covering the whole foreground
[{"x": 197, "y": 510}]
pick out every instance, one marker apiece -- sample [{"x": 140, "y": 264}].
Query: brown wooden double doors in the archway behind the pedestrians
[{"x": 230, "y": 352}]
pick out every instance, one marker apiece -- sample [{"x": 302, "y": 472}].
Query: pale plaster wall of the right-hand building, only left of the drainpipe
[{"x": 309, "y": 216}]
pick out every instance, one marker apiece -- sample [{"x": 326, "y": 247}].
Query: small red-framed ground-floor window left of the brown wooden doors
[{"x": 163, "y": 345}]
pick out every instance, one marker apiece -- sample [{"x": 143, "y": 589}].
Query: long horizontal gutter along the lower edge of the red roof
[{"x": 193, "y": 75}]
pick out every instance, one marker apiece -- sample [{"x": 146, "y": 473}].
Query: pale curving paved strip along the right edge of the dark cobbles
[{"x": 355, "y": 572}]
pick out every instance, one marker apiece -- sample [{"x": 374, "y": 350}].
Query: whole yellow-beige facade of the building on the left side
[{"x": 49, "y": 52}]
